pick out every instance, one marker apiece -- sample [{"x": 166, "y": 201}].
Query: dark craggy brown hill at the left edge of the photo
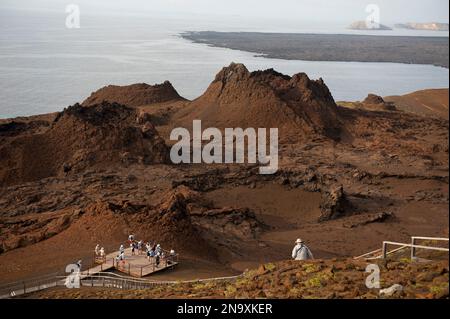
[{"x": 79, "y": 138}]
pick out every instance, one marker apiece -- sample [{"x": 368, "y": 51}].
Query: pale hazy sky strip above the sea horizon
[{"x": 391, "y": 11}]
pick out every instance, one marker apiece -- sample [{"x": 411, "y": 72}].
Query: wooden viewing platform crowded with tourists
[{"x": 136, "y": 265}]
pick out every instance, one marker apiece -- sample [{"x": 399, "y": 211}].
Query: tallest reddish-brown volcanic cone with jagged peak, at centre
[{"x": 296, "y": 105}]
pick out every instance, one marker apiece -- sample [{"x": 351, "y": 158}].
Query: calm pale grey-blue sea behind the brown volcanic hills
[{"x": 45, "y": 67}]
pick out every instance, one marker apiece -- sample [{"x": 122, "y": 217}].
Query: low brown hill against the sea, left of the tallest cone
[{"x": 134, "y": 95}]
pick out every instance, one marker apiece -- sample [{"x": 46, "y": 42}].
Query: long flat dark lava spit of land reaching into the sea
[{"x": 331, "y": 47}]
